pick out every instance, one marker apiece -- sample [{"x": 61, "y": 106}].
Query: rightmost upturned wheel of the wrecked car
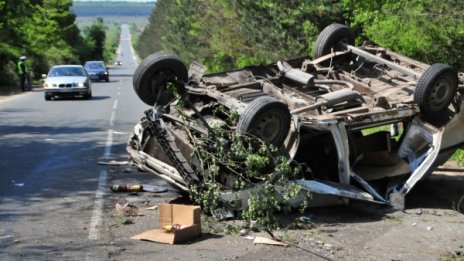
[{"x": 436, "y": 88}]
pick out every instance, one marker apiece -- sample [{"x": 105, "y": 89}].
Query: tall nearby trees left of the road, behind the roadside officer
[{"x": 43, "y": 30}]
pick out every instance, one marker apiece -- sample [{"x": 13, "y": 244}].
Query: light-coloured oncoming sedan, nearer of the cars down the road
[{"x": 67, "y": 80}]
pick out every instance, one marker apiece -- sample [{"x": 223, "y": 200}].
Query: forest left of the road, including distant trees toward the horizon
[{"x": 47, "y": 33}]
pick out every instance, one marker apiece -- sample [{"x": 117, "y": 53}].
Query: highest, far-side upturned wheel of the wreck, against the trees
[{"x": 329, "y": 39}]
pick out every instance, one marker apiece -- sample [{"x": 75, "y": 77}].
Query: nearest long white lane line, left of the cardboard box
[{"x": 97, "y": 213}]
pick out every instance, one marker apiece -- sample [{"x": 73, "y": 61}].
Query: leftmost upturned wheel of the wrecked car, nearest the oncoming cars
[{"x": 155, "y": 74}]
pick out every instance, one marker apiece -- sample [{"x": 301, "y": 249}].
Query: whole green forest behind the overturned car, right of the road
[{"x": 229, "y": 34}]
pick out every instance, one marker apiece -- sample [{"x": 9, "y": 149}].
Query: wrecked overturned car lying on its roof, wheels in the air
[{"x": 368, "y": 123}]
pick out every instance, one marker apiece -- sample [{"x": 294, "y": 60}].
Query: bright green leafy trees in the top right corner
[{"x": 427, "y": 30}]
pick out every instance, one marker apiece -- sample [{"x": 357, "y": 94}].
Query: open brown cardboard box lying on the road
[{"x": 186, "y": 216}]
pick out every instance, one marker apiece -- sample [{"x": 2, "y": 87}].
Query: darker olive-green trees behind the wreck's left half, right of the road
[{"x": 227, "y": 34}]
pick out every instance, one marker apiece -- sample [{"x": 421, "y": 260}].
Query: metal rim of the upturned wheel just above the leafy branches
[{"x": 268, "y": 126}]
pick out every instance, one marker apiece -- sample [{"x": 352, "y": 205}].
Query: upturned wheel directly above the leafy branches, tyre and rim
[{"x": 267, "y": 119}]
